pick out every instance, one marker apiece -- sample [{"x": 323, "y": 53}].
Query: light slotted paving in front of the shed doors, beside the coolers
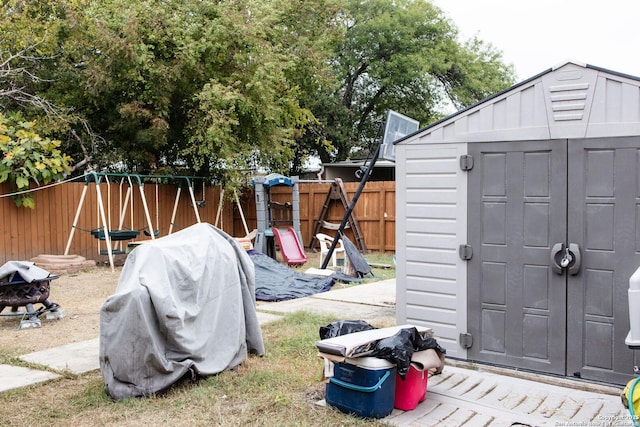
[{"x": 464, "y": 397}]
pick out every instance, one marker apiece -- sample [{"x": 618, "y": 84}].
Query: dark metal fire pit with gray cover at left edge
[{"x": 21, "y": 287}]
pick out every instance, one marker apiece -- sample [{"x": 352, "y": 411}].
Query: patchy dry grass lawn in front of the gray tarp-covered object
[{"x": 279, "y": 389}]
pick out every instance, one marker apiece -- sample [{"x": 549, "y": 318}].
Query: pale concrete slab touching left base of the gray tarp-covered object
[{"x": 77, "y": 358}]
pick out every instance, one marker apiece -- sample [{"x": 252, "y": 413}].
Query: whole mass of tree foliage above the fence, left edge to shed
[{"x": 218, "y": 89}]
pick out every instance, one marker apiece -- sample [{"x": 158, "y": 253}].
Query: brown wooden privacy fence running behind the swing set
[{"x": 27, "y": 233}]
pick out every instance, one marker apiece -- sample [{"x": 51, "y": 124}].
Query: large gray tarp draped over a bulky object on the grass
[{"x": 185, "y": 303}]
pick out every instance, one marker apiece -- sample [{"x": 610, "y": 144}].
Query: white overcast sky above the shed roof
[{"x": 539, "y": 34}]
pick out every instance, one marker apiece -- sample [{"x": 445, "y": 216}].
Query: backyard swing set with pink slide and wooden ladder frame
[{"x": 117, "y": 227}]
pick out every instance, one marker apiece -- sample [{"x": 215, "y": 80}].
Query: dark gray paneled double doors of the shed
[{"x": 555, "y": 231}]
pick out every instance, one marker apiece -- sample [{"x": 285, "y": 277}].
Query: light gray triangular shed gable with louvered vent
[{"x": 571, "y": 100}]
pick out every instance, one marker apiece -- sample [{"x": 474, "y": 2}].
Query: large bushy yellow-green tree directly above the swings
[{"x": 200, "y": 86}]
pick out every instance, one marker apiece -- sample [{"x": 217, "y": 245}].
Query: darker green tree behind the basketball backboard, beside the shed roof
[{"x": 403, "y": 55}]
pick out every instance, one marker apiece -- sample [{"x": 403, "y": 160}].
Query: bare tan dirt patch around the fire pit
[{"x": 80, "y": 295}]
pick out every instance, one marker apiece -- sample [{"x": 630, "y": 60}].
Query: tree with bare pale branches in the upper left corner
[{"x": 40, "y": 41}]
